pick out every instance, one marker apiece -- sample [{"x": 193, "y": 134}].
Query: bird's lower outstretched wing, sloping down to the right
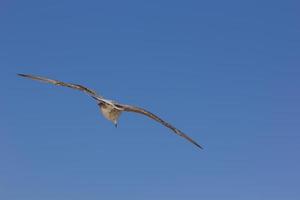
[{"x": 156, "y": 118}]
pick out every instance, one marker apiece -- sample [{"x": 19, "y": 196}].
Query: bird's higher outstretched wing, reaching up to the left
[{"x": 70, "y": 85}]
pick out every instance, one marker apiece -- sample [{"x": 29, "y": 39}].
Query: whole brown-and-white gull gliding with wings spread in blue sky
[{"x": 110, "y": 109}]
